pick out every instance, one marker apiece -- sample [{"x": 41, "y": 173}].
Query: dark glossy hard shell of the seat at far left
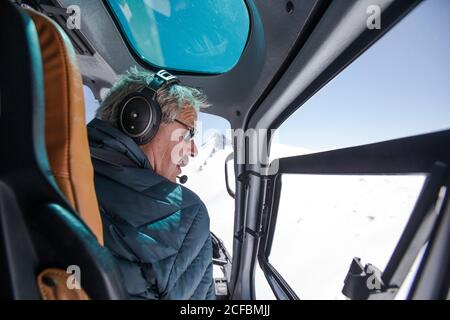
[{"x": 39, "y": 227}]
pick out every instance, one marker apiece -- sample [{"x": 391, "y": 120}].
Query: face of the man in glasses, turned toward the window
[{"x": 169, "y": 151}]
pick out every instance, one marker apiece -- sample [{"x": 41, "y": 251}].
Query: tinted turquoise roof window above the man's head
[{"x": 205, "y": 36}]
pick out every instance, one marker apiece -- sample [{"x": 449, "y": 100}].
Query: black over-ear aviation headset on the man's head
[{"x": 140, "y": 113}]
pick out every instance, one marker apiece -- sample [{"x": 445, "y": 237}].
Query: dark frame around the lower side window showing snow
[{"x": 423, "y": 154}]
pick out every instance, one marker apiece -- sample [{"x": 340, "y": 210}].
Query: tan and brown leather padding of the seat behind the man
[{"x": 65, "y": 123}]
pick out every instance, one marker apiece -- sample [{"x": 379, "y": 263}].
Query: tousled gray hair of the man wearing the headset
[{"x": 172, "y": 100}]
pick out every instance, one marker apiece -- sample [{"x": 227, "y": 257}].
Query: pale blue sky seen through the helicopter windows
[{"x": 399, "y": 87}]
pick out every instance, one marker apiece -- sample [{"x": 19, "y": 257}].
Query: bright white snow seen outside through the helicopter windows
[{"x": 323, "y": 221}]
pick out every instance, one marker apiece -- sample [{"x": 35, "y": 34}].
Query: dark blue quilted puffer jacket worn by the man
[{"x": 158, "y": 230}]
